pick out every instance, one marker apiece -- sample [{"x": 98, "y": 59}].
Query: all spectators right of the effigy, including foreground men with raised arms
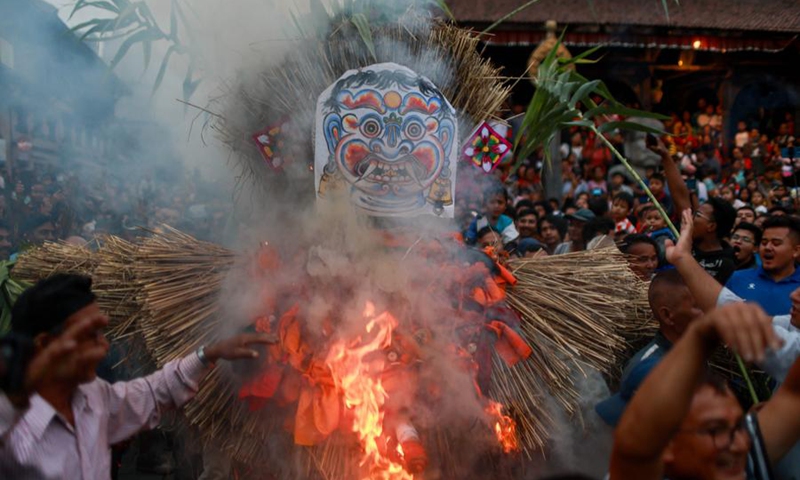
[{"x": 735, "y": 202}]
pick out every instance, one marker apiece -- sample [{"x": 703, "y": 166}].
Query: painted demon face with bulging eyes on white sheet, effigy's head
[{"x": 387, "y": 134}]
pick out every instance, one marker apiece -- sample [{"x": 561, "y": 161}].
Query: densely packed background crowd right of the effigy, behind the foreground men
[{"x": 743, "y": 181}]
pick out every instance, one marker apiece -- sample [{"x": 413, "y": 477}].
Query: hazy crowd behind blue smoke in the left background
[{"x": 41, "y": 203}]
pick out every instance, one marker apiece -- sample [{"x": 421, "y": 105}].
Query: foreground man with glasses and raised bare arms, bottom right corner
[{"x": 683, "y": 425}]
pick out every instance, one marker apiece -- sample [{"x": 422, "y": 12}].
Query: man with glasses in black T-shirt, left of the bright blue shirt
[{"x": 712, "y": 223}]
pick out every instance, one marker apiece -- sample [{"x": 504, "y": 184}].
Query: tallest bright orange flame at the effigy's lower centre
[{"x": 358, "y": 379}]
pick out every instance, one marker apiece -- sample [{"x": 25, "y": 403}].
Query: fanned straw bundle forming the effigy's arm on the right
[{"x": 580, "y": 308}]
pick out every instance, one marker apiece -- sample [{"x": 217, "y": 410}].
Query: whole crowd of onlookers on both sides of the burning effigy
[{"x": 716, "y": 227}]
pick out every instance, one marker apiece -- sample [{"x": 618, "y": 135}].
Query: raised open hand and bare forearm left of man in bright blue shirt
[{"x": 704, "y": 288}]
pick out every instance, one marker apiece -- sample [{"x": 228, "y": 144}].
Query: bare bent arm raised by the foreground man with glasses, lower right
[{"x": 658, "y": 408}]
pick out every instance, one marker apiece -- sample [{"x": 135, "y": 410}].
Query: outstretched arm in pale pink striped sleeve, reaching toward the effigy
[{"x": 139, "y": 404}]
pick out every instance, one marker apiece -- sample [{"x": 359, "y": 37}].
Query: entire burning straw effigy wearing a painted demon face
[{"x": 402, "y": 354}]
